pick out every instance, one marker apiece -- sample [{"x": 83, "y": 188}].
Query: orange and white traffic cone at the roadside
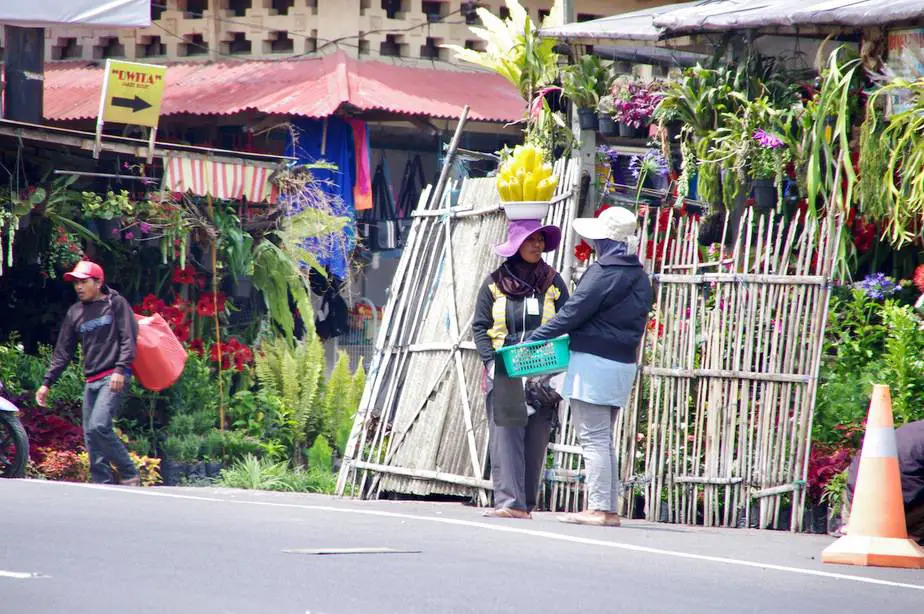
[{"x": 876, "y": 532}]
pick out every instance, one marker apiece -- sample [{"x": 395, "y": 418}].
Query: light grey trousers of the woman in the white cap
[{"x": 595, "y": 425}]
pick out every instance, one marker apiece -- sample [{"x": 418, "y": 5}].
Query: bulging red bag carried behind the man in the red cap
[{"x": 160, "y": 357}]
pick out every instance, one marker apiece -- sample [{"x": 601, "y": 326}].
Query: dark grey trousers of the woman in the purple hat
[{"x": 517, "y": 458}]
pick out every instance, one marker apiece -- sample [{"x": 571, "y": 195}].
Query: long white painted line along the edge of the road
[{"x": 506, "y": 529}]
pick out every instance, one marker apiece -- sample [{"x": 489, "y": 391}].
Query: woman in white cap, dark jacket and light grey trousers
[{"x": 606, "y": 319}]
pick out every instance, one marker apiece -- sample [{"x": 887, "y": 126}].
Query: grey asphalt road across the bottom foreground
[{"x": 81, "y": 549}]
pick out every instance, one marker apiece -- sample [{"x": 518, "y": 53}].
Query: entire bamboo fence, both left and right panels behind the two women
[{"x": 718, "y": 428}]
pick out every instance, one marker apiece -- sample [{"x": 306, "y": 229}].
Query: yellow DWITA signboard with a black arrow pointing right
[{"x": 132, "y": 93}]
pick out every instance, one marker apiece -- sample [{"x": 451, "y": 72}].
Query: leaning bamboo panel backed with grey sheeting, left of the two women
[{"x": 421, "y": 427}]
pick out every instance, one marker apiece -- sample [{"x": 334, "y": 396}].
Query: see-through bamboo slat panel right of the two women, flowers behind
[{"x": 718, "y": 429}]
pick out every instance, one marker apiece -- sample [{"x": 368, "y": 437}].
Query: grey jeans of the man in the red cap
[{"x": 104, "y": 447}]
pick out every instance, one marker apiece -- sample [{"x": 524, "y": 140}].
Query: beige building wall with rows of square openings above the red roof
[{"x": 185, "y": 30}]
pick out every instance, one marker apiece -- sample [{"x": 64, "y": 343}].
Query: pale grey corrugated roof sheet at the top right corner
[{"x": 723, "y": 15}]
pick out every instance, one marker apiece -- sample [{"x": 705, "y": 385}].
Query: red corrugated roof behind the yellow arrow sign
[{"x": 314, "y": 87}]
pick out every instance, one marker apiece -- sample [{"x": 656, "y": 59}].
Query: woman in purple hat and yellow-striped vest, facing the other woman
[{"x": 517, "y": 298}]
